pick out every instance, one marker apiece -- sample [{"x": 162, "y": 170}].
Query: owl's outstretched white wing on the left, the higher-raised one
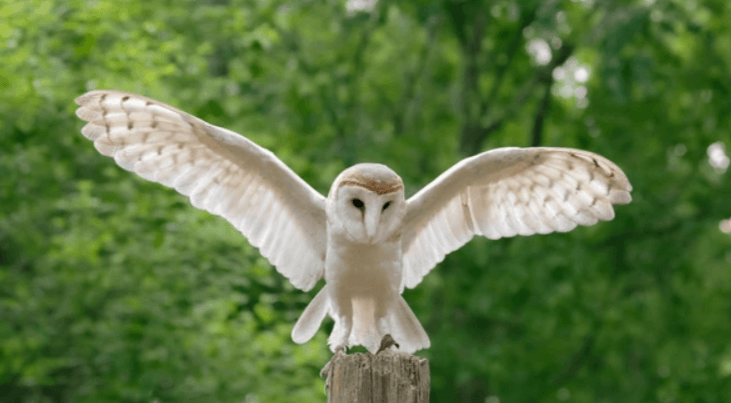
[{"x": 220, "y": 171}]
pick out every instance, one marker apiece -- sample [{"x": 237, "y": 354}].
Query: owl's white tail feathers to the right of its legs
[{"x": 405, "y": 328}]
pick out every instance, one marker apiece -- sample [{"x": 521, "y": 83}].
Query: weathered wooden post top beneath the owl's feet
[{"x": 386, "y": 377}]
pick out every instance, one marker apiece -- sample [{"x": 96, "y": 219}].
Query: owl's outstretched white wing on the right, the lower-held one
[{"x": 507, "y": 192}]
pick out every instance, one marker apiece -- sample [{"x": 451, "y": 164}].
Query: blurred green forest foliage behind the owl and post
[{"x": 113, "y": 289}]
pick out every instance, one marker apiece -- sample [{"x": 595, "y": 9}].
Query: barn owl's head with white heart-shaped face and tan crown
[{"x": 366, "y": 204}]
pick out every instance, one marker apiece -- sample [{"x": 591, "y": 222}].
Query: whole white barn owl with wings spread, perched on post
[{"x": 365, "y": 239}]
